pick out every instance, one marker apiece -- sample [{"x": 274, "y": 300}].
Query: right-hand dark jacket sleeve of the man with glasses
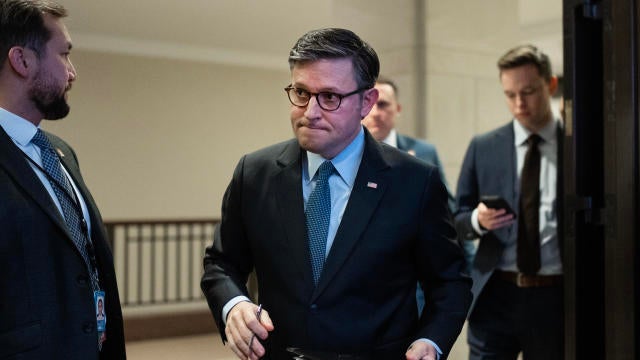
[{"x": 447, "y": 290}]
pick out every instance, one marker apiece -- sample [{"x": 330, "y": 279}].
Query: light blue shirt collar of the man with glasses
[{"x": 346, "y": 162}]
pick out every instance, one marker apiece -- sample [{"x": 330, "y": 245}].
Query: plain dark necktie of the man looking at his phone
[{"x": 528, "y": 250}]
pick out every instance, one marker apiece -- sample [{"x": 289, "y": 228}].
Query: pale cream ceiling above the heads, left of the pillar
[{"x": 206, "y": 28}]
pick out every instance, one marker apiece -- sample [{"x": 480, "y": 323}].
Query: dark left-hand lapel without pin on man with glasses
[{"x": 291, "y": 206}]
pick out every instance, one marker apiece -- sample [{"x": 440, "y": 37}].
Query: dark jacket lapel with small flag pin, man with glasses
[{"x": 368, "y": 189}]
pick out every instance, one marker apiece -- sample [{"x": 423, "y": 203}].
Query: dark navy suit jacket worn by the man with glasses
[{"x": 391, "y": 235}]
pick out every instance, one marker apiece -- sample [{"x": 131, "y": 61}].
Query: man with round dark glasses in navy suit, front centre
[{"x": 342, "y": 283}]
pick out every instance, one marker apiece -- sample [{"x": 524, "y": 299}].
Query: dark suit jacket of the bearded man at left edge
[{"x": 46, "y": 302}]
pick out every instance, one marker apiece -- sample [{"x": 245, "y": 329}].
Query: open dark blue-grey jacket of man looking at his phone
[{"x": 489, "y": 168}]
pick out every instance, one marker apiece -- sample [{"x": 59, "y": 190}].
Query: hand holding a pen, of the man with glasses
[{"x": 242, "y": 324}]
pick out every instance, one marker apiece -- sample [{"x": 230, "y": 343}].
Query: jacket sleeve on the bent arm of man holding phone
[{"x": 467, "y": 195}]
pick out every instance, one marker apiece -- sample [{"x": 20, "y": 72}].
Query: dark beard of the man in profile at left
[{"x": 48, "y": 99}]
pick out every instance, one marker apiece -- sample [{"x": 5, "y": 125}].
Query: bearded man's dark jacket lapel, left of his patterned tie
[{"x": 12, "y": 159}]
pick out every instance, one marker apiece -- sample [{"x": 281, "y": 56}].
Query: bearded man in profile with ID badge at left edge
[{"x": 54, "y": 258}]
